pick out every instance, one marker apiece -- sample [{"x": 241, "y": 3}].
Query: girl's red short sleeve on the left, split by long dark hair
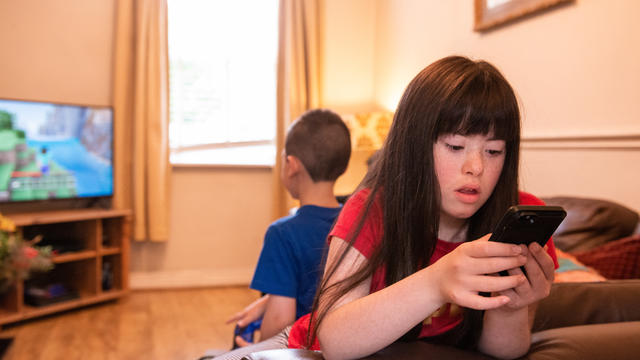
[{"x": 370, "y": 235}]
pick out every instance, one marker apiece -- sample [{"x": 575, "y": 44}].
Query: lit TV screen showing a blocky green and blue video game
[{"x": 54, "y": 151}]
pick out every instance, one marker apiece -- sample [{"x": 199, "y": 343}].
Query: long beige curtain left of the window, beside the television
[{"x": 141, "y": 147}]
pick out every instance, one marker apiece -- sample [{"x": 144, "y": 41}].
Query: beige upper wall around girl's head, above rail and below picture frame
[{"x": 575, "y": 68}]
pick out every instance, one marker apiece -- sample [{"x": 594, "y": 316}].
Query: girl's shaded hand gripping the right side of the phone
[{"x": 540, "y": 274}]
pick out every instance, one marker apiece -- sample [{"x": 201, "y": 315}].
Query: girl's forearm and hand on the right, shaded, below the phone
[{"x": 506, "y": 332}]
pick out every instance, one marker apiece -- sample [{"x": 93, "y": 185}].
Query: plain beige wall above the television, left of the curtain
[{"x": 57, "y": 51}]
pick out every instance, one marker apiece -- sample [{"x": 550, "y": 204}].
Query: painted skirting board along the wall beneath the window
[{"x": 189, "y": 278}]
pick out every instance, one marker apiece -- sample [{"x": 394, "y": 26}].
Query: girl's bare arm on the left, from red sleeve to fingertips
[{"x": 360, "y": 323}]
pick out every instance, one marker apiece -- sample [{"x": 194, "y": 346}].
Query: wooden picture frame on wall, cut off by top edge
[{"x": 492, "y": 13}]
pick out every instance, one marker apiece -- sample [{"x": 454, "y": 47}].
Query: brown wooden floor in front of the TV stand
[{"x": 167, "y": 324}]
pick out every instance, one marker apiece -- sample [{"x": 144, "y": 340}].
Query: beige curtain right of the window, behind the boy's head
[{"x": 299, "y": 87}]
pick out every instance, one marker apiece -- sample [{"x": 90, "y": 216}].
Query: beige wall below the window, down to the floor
[{"x": 218, "y": 220}]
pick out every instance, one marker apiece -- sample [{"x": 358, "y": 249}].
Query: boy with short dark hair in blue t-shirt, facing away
[{"x": 316, "y": 153}]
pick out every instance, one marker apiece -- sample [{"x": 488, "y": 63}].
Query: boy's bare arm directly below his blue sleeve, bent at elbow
[{"x": 280, "y": 312}]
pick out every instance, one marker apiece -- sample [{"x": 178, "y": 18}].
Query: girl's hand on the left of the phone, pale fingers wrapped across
[{"x": 462, "y": 273}]
